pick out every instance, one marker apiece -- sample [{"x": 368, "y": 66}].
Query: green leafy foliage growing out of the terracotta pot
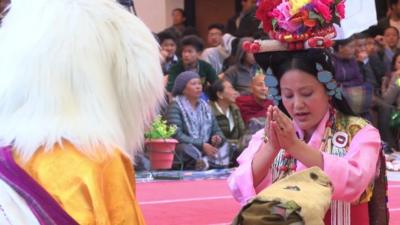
[{"x": 160, "y": 129}]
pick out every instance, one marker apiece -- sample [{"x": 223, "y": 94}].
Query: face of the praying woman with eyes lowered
[{"x": 305, "y": 98}]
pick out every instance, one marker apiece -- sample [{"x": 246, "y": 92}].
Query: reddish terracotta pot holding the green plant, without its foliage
[{"x": 161, "y": 152}]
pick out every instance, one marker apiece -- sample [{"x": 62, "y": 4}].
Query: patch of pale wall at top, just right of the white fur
[{"x": 157, "y": 13}]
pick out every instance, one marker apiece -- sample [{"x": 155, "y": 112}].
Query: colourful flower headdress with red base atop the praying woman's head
[{"x": 298, "y": 24}]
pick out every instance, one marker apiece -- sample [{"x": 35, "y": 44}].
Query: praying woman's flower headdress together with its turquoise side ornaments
[{"x": 297, "y": 25}]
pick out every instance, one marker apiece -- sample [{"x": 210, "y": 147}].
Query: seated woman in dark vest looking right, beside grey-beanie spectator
[{"x": 223, "y": 96}]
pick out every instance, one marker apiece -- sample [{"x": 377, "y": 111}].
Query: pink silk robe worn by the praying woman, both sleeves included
[{"x": 350, "y": 175}]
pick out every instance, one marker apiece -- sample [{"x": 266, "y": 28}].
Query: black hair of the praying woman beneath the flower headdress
[{"x": 282, "y": 62}]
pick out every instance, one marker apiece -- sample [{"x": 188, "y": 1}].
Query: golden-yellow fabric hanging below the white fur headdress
[{"x": 92, "y": 191}]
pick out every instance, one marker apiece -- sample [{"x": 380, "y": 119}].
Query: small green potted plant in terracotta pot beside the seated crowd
[{"x": 159, "y": 144}]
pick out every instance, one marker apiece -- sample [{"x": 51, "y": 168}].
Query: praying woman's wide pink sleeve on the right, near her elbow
[{"x": 352, "y": 174}]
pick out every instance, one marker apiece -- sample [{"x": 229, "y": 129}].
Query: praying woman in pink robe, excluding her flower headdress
[{"x": 315, "y": 112}]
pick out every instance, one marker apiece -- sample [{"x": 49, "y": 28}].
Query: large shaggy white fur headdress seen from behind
[{"x": 85, "y": 71}]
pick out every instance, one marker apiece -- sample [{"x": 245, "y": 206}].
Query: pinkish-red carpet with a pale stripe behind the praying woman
[{"x": 207, "y": 202}]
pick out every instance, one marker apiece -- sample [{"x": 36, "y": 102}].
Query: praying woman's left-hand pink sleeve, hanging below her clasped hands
[{"x": 241, "y": 180}]
